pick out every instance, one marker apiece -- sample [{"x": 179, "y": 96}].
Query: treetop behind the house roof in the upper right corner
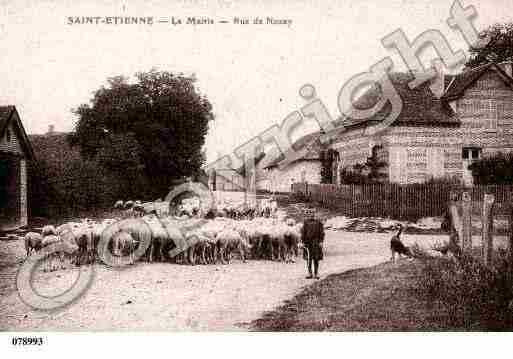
[{"x": 498, "y": 40}]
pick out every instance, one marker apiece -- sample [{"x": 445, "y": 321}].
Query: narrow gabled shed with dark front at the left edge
[{"x": 15, "y": 153}]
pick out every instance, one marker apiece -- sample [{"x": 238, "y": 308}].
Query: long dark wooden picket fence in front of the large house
[{"x": 398, "y": 201}]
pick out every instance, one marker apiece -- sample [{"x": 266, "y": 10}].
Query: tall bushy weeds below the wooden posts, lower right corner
[{"x": 474, "y": 296}]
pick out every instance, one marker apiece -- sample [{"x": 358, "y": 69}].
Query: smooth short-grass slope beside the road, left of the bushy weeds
[{"x": 380, "y": 298}]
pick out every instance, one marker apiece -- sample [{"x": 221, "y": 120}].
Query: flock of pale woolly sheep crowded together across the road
[{"x": 191, "y": 236}]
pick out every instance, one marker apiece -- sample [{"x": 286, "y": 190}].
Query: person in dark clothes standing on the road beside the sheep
[{"x": 312, "y": 236}]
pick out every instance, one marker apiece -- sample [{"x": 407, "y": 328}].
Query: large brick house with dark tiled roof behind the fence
[{"x": 438, "y": 132}]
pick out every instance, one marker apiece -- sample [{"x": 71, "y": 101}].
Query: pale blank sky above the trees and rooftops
[{"x": 250, "y": 73}]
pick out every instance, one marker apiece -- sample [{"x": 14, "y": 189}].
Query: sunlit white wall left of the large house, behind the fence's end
[{"x": 280, "y": 180}]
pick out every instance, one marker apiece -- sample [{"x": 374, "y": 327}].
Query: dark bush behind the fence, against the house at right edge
[{"x": 493, "y": 170}]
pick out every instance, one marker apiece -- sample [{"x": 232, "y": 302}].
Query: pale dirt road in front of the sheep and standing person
[{"x": 163, "y": 296}]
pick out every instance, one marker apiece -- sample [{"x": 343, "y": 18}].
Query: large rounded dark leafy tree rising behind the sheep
[{"x": 154, "y": 127}]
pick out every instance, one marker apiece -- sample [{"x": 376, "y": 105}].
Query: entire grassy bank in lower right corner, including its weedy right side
[{"x": 403, "y": 296}]
